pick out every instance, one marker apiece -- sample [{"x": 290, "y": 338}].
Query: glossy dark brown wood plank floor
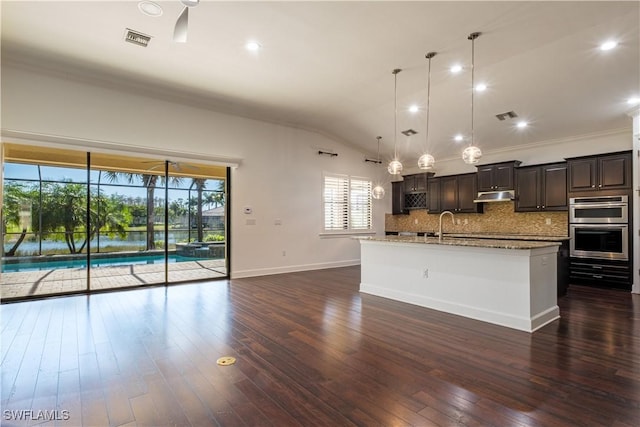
[{"x": 312, "y": 351}]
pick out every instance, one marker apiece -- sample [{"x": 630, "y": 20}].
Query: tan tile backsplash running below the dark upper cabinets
[{"x": 497, "y": 218}]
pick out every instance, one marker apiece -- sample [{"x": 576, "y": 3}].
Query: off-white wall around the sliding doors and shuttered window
[{"x": 279, "y": 177}]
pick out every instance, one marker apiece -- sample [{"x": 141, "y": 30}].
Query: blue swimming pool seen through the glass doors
[{"x": 95, "y": 262}]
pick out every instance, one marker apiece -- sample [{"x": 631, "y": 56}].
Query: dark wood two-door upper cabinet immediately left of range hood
[{"x": 457, "y": 193}]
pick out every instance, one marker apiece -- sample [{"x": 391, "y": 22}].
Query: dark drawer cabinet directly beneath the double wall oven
[{"x": 613, "y": 274}]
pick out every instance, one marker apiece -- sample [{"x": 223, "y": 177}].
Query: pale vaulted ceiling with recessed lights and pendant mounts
[{"x": 327, "y": 66}]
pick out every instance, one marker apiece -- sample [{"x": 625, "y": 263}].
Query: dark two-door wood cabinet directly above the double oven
[{"x": 603, "y": 172}]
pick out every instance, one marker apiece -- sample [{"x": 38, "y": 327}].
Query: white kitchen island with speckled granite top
[{"x": 506, "y": 282}]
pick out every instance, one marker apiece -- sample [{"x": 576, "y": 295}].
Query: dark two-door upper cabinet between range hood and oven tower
[{"x": 541, "y": 187}]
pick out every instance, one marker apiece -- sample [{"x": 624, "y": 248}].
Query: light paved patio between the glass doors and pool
[{"x": 46, "y": 282}]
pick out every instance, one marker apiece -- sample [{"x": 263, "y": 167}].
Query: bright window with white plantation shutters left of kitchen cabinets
[{"x": 346, "y": 203}]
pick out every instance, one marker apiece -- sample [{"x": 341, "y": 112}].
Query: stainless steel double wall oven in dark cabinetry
[{"x": 599, "y": 227}]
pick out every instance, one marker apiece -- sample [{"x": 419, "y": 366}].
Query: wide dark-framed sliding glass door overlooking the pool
[{"x": 77, "y": 222}]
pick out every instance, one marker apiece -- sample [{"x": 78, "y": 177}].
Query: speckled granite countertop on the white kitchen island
[{"x": 456, "y": 241}]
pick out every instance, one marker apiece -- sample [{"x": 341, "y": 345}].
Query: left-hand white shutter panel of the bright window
[{"x": 336, "y": 203}]
